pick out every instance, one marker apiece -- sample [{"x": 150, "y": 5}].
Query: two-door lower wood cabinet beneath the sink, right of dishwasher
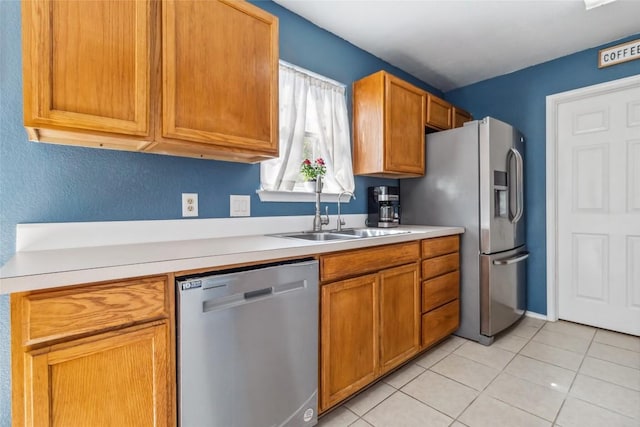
[{"x": 369, "y": 324}]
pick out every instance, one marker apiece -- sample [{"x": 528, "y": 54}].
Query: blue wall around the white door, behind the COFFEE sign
[{"x": 519, "y": 99}]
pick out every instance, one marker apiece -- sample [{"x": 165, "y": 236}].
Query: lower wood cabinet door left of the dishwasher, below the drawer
[{"x": 118, "y": 379}]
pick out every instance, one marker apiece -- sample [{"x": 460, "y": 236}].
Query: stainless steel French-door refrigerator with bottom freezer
[{"x": 474, "y": 178}]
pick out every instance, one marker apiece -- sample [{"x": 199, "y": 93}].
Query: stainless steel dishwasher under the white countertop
[{"x": 248, "y": 346}]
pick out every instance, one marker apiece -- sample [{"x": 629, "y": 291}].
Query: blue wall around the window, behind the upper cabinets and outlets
[{"x": 50, "y": 183}]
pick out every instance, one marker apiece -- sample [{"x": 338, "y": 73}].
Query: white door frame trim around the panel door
[{"x": 553, "y": 103}]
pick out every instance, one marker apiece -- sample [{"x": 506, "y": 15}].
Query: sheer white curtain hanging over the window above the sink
[{"x": 310, "y": 102}]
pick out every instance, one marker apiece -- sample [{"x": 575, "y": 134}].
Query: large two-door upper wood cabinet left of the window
[{"x": 187, "y": 78}]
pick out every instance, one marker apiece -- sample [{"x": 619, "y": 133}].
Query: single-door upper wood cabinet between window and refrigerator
[{"x": 388, "y": 127}]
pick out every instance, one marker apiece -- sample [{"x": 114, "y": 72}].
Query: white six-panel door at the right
[{"x": 598, "y": 208}]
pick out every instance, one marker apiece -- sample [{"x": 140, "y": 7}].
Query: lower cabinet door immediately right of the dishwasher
[{"x": 348, "y": 338}]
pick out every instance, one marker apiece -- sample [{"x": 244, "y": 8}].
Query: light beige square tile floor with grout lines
[{"x": 536, "y": 374}]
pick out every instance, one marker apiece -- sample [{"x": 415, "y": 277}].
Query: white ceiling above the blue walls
[{"x": 453, "y": 43}]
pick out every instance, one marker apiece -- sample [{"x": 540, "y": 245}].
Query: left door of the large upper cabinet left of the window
[{"x": 87, "y": 65}]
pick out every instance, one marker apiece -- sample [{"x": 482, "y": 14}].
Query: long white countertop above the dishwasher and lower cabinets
[{"x": 40, "y": 269}]
